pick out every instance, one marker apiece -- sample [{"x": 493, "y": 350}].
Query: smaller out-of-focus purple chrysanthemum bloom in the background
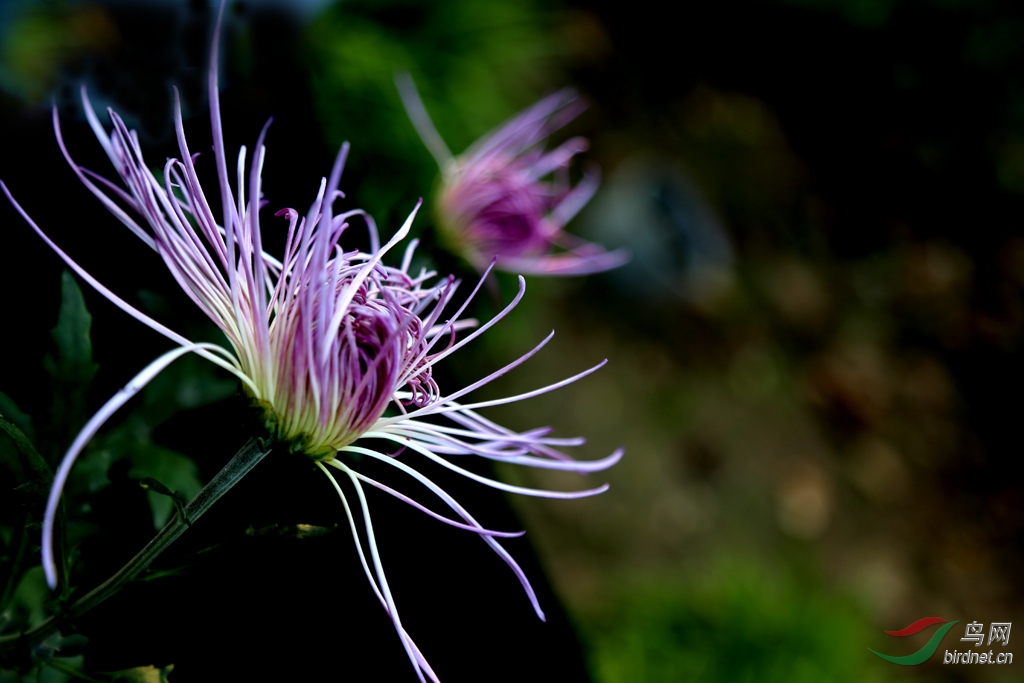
[{"x": 494, "y": 202}]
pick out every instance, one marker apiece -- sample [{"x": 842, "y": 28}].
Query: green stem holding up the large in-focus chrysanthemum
[{"x": 252, "y": 453}]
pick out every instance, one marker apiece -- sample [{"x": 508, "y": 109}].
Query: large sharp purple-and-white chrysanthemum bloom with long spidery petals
[{"x": 324, "y": 340}]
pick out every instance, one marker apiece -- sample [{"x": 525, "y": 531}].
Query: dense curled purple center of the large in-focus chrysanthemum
[{"x": 336, "y": 374}]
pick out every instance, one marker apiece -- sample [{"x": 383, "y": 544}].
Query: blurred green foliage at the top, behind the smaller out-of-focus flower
[{"x": 476, "y": 64}]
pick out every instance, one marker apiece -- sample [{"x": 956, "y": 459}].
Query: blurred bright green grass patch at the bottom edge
[{"x": 734, "y": 625}]
